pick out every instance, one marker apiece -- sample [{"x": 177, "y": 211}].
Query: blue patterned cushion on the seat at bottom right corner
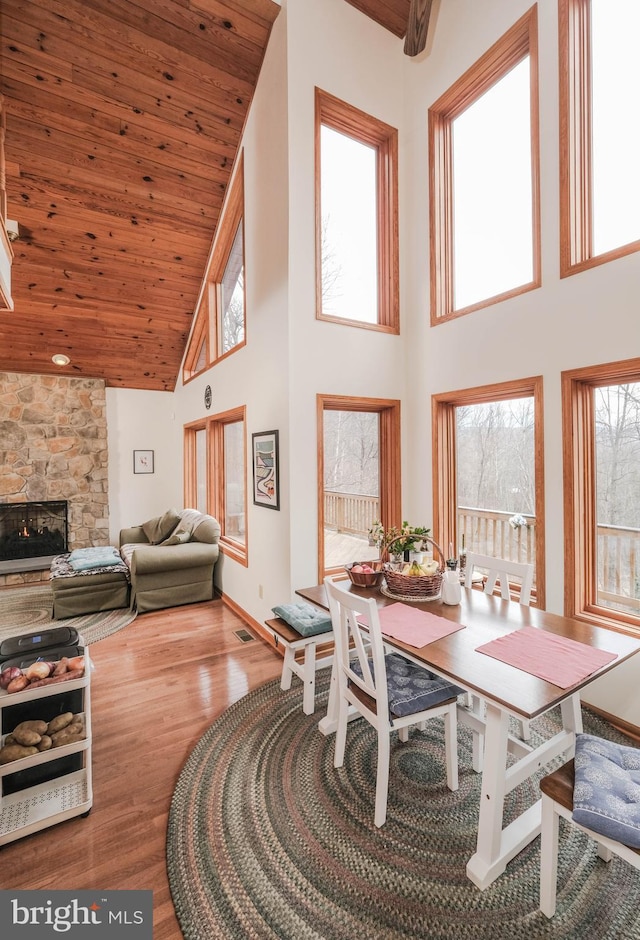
[{"x": 606, "y": 794}]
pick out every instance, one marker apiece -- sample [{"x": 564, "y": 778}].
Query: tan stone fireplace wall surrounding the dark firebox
[{"x": 53, "y": 447}]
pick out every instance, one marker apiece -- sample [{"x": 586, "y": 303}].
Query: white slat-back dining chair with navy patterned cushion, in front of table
[{"x": 390, "y": 692}]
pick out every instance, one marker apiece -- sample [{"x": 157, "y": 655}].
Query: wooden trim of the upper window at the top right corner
[{"x": 576, "y": 195}]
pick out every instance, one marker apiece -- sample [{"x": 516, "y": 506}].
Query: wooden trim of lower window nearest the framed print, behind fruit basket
[{"x": 390, "y": 468}]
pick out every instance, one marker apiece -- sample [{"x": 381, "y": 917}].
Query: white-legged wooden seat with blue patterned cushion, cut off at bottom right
[{"x": 602, "y": 787}]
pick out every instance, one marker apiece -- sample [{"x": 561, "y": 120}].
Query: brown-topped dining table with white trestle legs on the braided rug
[{"x": 500, "y": 691}]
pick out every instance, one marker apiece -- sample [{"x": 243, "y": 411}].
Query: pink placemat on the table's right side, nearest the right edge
[{"x": 548, "y": 656}]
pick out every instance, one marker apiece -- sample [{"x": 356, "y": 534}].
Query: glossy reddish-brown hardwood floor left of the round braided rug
[{"x": 156, "y": 687}]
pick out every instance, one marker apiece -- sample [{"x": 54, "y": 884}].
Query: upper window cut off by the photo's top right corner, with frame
[{"x": 599, "y": 132}]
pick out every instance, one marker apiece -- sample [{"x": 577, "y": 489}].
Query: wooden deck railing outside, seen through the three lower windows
[{"x": 489, "y": 532}]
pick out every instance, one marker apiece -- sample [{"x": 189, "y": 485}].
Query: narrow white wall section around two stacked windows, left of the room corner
[{"x": 333, "y": 46}]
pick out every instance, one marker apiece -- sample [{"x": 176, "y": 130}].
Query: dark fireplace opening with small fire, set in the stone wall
[{"x": 29, "y": 531}]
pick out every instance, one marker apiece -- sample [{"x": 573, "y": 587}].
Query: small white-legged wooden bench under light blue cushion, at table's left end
[{"x": 313, "y": 650}]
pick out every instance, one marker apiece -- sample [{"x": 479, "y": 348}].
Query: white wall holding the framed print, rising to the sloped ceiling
[{"x": 258, "y": 374}]
